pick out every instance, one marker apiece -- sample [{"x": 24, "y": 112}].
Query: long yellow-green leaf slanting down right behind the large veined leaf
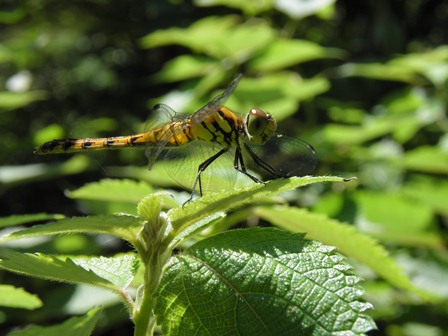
[{"x": 349, "y": 241}]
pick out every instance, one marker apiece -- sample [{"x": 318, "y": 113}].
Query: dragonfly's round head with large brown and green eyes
[{"x": 259, "y": 126}]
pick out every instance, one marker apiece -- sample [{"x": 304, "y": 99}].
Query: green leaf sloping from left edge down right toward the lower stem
[{"x": 50, "y": 268}]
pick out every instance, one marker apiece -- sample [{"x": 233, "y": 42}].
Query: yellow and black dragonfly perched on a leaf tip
[{"x": 216, "y": 137}]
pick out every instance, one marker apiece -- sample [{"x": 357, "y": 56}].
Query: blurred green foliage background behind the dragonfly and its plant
[{"x": 364, "y": 82}]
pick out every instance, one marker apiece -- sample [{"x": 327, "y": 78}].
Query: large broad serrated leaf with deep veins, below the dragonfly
[{"x": 267, "y": 282}]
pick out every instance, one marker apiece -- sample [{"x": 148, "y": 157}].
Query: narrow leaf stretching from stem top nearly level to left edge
[{"x": 122, "y": 226}]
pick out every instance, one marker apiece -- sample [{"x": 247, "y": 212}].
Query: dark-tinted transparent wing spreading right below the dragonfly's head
[{"x": 281, "y": 156}]
